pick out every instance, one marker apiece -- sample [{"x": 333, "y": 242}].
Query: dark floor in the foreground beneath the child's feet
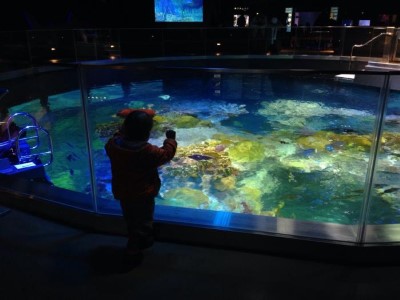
[{"x": 40, "y": 259}]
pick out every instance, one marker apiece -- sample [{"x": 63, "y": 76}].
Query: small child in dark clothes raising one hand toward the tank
[{"x": 135, "y": 179}]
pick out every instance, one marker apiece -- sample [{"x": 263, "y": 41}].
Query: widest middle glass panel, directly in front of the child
[{"x": 262, "y": 152}]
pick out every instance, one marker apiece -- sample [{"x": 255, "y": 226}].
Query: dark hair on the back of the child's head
[{"x": 137, "y": 126}]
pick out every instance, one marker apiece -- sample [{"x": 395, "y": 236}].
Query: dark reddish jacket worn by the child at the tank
[{"x": 134, "y": 166}]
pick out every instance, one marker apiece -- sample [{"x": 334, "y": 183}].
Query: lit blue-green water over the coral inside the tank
[{"x": 283, "y": 147}]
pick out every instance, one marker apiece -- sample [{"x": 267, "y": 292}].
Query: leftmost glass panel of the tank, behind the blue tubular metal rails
[{"x": 52, "y": 100}]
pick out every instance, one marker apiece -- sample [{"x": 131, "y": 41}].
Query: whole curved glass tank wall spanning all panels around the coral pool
[{"x": 298, "y": 153}]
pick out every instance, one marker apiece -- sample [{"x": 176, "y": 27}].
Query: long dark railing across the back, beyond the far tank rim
[{"x": 38, "y": 47}]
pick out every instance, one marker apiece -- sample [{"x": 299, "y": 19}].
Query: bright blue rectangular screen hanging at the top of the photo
[{"x": 178, "y": 10}]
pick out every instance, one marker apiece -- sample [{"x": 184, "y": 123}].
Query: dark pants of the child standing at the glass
[{"x": 138, "y": 215}]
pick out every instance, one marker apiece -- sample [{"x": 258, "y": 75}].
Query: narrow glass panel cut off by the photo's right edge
[{"x": 384, "y": 214}]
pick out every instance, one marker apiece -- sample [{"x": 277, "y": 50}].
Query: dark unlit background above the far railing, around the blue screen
[{"x": 17, "y": 14}]
